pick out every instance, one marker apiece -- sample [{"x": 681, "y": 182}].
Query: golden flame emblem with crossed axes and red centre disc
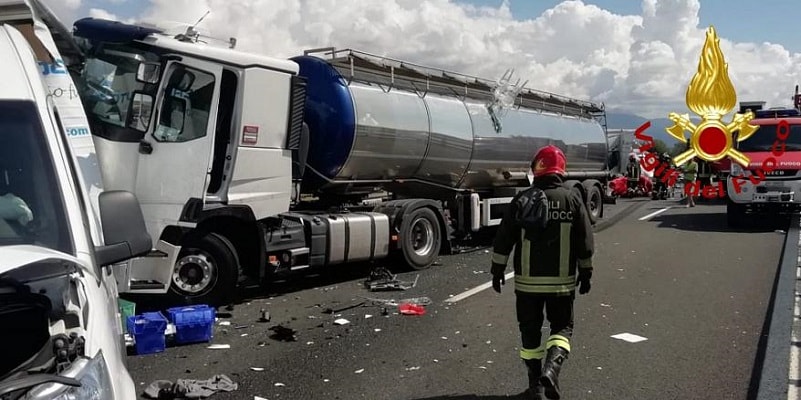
[{"x": 711, "y": 95}]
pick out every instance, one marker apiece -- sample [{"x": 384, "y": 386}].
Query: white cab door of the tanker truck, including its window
[{"x": 175, "y": 158}]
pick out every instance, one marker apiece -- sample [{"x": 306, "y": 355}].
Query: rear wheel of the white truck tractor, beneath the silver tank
[{"x": 421, "y": 238}]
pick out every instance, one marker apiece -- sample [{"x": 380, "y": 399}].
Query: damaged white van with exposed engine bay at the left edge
[{"x": 60, "y": 332}]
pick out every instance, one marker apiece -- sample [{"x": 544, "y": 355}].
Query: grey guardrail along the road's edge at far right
[{"x": 774, "y": 363}]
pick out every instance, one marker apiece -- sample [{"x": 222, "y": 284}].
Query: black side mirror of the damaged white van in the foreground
[{"x": 124, "y": 230}]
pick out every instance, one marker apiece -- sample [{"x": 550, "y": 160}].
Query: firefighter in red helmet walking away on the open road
[{"x": 548, "y": 266}]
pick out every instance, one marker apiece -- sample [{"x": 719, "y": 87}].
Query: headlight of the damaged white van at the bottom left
[{"x": 93, "y": 375}]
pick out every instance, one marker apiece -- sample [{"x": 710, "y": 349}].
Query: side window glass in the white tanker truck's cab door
[{"x": 185, "y": 108}]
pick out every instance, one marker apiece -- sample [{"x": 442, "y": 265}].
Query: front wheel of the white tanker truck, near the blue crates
[{"x": 206, "y": 272}]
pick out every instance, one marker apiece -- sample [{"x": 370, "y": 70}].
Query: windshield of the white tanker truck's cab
[{"x": 110, "y": 85}]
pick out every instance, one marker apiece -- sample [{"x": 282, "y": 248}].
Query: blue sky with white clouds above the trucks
[{"x": 635, "y": 56}]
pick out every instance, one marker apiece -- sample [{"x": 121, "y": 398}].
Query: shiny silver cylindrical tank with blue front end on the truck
[{"x": 364, "y": 132}]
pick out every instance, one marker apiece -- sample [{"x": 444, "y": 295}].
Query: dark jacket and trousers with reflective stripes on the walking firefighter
[{"x": 546, "y": 267}]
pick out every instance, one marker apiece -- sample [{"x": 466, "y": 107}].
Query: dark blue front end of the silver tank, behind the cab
[{"x": 329, "y": 114}]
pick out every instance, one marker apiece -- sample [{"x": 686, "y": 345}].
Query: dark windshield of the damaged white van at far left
[{"x": 31, "y": 206}]
